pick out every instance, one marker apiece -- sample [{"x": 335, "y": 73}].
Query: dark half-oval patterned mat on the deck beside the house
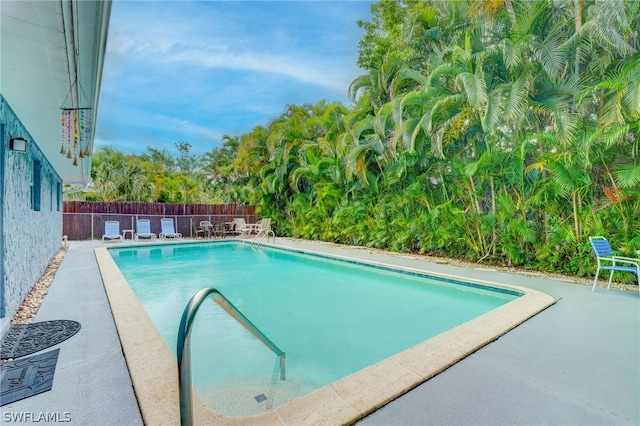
[{"x": 25, "y": 339}]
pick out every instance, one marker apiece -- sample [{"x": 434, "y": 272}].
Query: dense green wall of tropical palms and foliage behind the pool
[{"x": 498, "y": 131}]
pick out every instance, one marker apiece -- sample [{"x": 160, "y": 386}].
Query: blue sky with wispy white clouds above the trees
[{"x": 195, "y": 71}]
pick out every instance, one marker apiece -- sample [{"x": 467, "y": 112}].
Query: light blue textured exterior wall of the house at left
[{"x": 30, "y": 237}]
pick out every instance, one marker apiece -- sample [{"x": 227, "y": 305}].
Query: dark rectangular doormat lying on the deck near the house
[{"x": 27, "y": 377}]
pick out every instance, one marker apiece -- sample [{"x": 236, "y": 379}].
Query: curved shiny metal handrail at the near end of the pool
[{"x": 184, "y": 344}]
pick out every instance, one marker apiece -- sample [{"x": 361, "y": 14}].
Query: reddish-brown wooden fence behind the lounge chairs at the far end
[{"x": 84, "y": 220}]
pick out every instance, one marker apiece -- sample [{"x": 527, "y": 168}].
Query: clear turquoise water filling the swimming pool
[{"x": 332, "y": 318}]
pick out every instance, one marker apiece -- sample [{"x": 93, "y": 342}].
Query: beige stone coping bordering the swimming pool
[{"x": 153, "y": 368}]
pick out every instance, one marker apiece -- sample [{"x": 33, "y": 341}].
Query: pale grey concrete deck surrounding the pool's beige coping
[{"x": 576, "y": 362}]
